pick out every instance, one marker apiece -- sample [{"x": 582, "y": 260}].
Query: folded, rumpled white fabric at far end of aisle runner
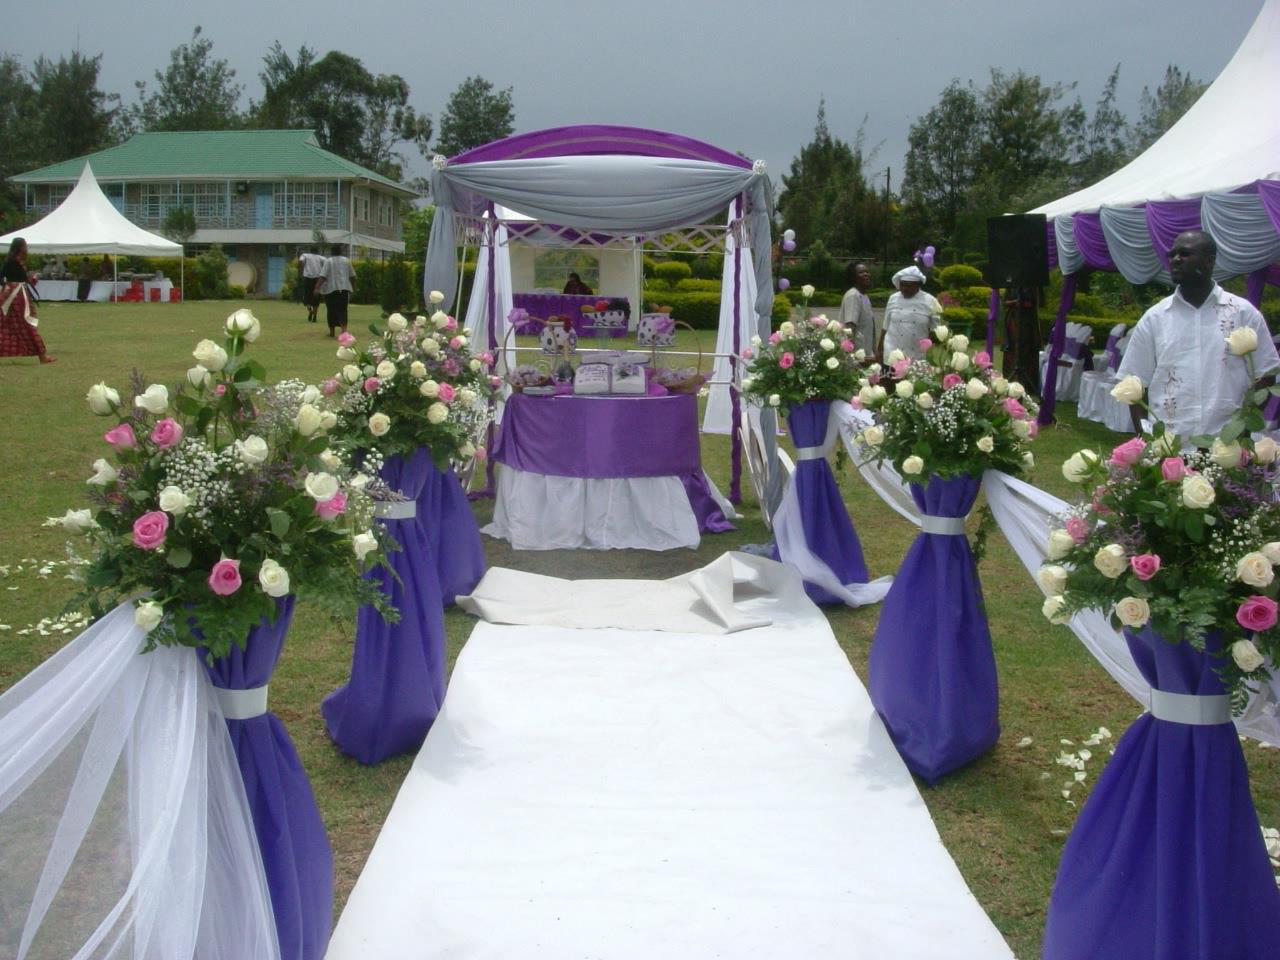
[{"x": 702, "y": 602}]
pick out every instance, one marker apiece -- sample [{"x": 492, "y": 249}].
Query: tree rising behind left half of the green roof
[{"x": 195, "y": 93}]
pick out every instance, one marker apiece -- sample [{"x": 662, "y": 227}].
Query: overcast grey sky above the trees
[{"x": 744, "y": 76}]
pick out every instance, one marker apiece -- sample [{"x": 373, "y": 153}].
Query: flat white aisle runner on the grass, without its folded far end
[{"x": 610, "y": 794}]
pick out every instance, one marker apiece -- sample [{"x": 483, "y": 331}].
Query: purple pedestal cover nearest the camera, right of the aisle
[{"x": 1167, "y": 860}]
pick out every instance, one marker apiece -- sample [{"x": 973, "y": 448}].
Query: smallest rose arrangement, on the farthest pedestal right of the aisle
[{"x": 802, "y": 362}]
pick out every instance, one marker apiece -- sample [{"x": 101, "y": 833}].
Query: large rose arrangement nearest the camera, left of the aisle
[{"x": 220, "y": 497}]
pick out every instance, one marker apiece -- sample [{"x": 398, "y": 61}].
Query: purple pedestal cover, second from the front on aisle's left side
[{"x": 397, "y": 670}]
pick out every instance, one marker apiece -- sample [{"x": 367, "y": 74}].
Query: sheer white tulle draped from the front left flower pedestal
[{"x": 125, "y": 830}]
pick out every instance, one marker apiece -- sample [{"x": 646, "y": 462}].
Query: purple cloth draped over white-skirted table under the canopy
[{"x": 598, "y": 438}]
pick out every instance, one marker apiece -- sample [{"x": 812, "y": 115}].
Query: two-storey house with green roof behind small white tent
[{"x": 263, "y": 195}]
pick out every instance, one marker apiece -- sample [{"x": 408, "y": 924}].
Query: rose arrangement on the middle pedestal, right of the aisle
[{"x": 948, "y": 414}]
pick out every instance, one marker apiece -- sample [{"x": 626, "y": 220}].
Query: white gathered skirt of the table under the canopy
[{"x": 541, "y": 513}]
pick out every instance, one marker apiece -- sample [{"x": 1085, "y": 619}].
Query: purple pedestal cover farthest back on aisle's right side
[{"x": 828, "y": 528}]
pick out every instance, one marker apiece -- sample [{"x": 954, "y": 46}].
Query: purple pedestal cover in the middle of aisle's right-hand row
[{"x": 932, "y": 673}]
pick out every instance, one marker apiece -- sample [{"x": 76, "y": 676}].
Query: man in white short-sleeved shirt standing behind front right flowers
[{"x": 1180, "y": 350}]
